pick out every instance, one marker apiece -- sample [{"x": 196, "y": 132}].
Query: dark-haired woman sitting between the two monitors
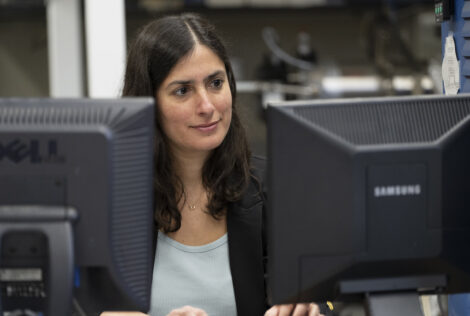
[{"x": 208, "y": 190}]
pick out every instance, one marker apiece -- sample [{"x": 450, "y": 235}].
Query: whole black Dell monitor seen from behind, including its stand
[{"x": 76, "y": 204}]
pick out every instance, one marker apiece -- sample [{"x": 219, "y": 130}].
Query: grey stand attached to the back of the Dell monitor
[{"x": 55, "y": 223}]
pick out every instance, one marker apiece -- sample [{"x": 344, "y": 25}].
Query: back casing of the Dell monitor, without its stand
[{"x": 94, "y": 156}]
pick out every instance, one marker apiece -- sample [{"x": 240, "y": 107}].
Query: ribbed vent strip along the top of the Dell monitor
[{"x": 51, "y": 115}]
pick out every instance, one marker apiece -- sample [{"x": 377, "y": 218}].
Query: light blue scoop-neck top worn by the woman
[{"x": 198, "y": 276}]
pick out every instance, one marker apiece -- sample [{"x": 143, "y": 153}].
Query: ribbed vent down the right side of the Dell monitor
[{"x": 131, "y": 162}]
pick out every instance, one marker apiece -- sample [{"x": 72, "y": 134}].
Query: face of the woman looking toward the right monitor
[{"x": 195, "y": 102}]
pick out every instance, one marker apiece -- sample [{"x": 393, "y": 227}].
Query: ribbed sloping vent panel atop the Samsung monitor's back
[{"x": 369, "y": 122}]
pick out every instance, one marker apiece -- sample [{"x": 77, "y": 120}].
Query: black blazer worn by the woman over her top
[{"x": 246, "y": 245}]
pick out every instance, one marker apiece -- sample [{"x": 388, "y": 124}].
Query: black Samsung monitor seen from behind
[{"x": 368, "y": 196}]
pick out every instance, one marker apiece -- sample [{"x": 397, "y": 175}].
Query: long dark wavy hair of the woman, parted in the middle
[{"x": 159, "y": 46}]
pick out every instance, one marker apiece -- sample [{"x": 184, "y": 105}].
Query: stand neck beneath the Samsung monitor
[{"x": 392, "y": 304}]
